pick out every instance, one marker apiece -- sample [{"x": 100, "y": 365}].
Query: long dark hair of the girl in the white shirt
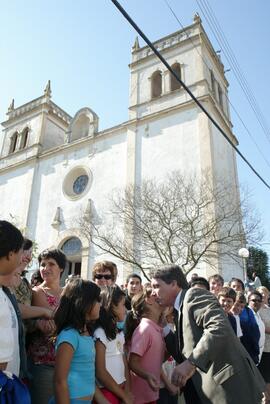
[{"x": 110, "y": 296}]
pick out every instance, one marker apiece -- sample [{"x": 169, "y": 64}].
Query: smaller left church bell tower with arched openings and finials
[{"x": 33, "y": 127}]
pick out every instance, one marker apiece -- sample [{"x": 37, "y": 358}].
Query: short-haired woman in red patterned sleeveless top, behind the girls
[{"x": 41, "y": 350}]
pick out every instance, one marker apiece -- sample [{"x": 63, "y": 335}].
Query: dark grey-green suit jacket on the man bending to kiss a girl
[{"x": 225, "y": 373}]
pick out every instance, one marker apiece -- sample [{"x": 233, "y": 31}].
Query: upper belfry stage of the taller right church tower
[{"x": 192, "y": 57}]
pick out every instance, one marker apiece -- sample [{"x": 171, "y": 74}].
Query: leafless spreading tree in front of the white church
[{"x": 181, "y": 220}]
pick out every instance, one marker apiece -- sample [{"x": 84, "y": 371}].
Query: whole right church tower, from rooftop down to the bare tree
[{"x": 169, "y": 131}]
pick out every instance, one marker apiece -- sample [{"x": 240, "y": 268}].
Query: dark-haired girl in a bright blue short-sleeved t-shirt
[{"x": 75, "y": 350}]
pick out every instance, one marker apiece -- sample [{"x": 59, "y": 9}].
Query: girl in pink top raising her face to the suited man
[{"x": 147, "y": 347}]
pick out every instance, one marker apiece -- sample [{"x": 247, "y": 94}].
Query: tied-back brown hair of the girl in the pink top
[{"x": 138, "y": 309}]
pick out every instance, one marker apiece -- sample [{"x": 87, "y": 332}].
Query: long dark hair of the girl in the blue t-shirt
[{"x": 77, "y": 299}]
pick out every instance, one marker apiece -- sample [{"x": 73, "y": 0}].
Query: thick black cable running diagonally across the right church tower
[{"x": 157, "y": 53}]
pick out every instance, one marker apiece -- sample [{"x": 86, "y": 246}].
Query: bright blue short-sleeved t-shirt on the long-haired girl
[{"x": 81, "y": 377}]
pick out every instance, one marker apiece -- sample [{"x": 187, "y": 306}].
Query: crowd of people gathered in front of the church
[{"x": 97, "y": 342}]
